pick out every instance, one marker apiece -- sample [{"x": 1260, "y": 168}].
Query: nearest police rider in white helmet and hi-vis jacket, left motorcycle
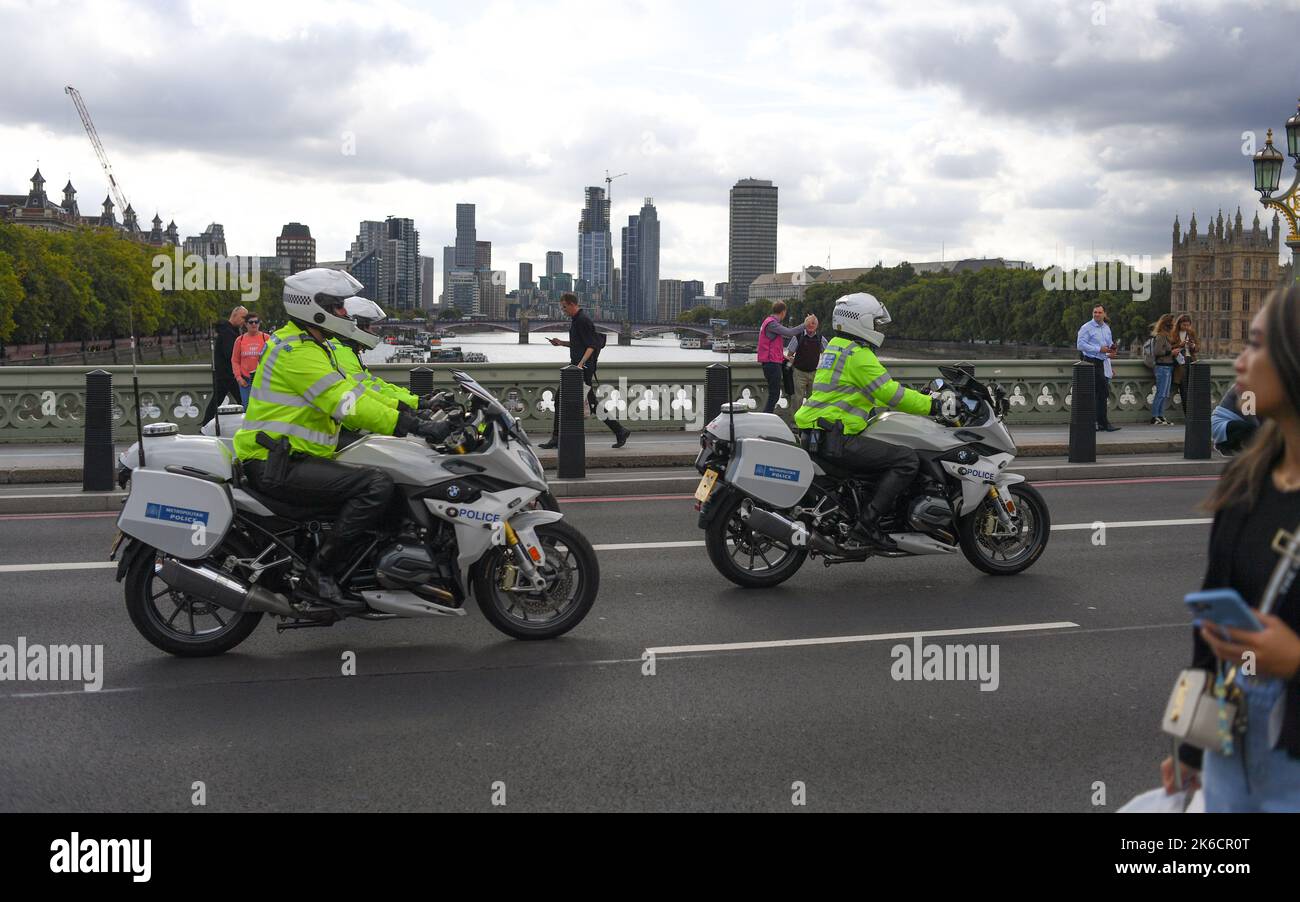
[{"x": 298, "y": 402}]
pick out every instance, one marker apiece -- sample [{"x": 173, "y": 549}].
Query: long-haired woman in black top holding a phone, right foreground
[{"x": 1255, "y": 504}]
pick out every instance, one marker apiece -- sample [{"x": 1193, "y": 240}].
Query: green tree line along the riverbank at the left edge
[{"x": 94, "y": 284}]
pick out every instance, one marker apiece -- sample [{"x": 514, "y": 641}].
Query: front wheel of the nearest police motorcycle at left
[{"x": 573, "y": 580}]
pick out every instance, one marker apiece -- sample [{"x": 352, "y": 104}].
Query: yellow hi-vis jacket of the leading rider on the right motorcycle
[{"x": 850, "y": 381}]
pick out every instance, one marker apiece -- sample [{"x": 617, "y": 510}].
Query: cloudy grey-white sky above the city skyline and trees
[{"x": 895, "y": 131}]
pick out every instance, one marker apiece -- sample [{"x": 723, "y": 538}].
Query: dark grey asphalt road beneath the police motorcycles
[{"x": 443, "y": 710}]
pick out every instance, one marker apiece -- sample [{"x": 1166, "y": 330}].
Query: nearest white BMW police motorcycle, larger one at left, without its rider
[{"x": 205, "y": 556}]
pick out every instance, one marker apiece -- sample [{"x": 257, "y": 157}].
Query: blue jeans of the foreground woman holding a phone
[{"x": 1275, "y": 775}]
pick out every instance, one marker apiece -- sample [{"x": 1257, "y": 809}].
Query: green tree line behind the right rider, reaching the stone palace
[{"x": 986, "y": 306}]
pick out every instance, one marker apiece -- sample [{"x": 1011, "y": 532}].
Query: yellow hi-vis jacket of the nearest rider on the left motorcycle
[{"x": 300, "y": 393}]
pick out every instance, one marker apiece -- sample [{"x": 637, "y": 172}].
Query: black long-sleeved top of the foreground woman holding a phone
[{"x": 1242, "y": 558}]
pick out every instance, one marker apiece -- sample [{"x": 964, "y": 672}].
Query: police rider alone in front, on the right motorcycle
[{"x": 850, "y": 381}]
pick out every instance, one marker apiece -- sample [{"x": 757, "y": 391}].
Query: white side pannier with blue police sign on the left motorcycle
[{"x": 183, "y": 517}]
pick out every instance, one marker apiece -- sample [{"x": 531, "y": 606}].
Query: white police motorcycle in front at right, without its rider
[{"x": 769, "y": 502}]
